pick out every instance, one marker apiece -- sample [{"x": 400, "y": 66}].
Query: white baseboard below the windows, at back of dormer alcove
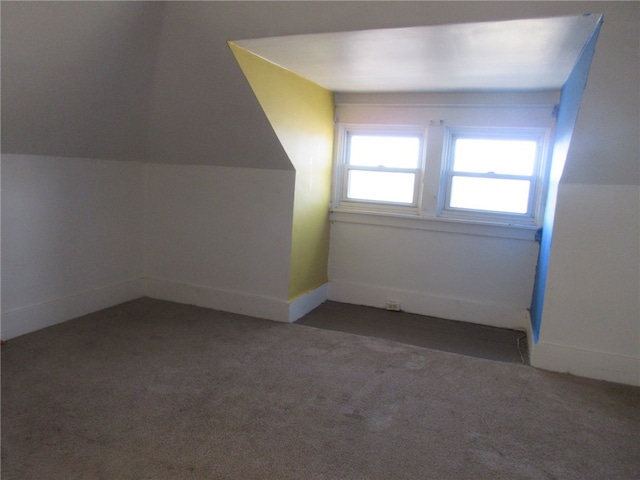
[{"x": 496, "y": 315}]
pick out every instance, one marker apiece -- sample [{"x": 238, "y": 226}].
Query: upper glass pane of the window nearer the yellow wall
[{"x": 384, "y": 151}]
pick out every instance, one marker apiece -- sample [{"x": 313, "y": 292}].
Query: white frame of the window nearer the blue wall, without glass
[{"x": 535, "y": 204}]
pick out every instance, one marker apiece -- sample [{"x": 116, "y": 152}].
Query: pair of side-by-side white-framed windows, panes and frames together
[{"x": 485, "y": 174}]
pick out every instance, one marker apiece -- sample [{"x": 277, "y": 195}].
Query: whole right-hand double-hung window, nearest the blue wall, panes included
[{"x": 493, "y": 172}]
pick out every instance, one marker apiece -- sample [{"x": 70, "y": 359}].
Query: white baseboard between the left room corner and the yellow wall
[{"x": 226, "y": 300}]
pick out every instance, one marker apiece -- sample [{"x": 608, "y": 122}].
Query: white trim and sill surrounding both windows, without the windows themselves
[{"x": 530, "y": 116}]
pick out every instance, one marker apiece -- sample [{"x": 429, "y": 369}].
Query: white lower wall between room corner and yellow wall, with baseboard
[{"x": 219, "y": 237}]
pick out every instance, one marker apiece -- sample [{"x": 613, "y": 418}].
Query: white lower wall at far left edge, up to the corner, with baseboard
[{"x": 71, "y": 238}]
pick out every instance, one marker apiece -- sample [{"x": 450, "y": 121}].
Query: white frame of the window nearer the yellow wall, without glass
[{"x": 341, "y": 178}]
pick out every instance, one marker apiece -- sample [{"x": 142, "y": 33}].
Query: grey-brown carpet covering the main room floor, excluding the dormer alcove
[{"x": 157, "y": 390}]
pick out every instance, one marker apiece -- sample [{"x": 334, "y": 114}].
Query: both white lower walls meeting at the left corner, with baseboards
[{"x": 79, "y": 235}]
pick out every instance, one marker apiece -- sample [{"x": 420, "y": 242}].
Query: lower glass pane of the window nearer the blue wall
[{"x": 496, "y": 195}]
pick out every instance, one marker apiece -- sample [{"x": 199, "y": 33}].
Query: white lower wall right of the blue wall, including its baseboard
[{"x": 591, "y": 324}]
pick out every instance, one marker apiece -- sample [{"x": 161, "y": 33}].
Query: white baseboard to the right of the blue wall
[{"x": 586, "y": 363}]
